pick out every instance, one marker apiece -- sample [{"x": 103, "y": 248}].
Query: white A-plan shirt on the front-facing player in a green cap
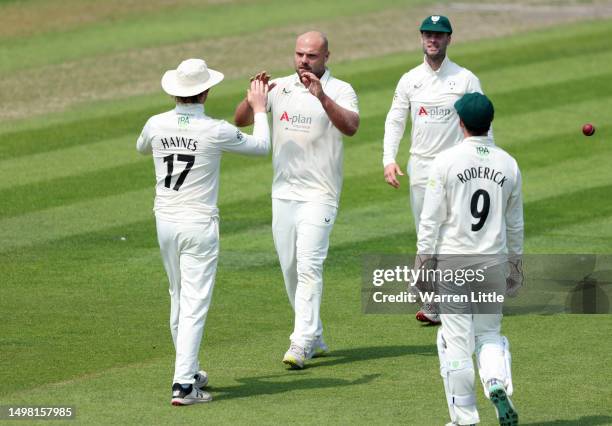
[{"x": 429, "y": 96}]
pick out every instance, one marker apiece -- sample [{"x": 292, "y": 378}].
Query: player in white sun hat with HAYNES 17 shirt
[{"x": 186, "y": 145}]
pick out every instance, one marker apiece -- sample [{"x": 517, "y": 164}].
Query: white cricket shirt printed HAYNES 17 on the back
[{"x": 186, "y": 146}]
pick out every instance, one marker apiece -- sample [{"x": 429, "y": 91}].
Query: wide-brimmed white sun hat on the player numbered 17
[{"x": 191, "y": 78}]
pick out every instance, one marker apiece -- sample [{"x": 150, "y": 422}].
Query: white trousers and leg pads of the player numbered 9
[{"x": 459, "y": 337}]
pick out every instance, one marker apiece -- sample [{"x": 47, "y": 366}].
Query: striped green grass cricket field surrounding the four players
[{"x": 84, "y": 312}]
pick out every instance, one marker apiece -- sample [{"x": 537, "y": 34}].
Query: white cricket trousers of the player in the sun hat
[{"x": 189, "y": 252}]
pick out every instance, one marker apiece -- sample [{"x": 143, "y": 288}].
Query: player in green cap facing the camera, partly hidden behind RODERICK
[{"x": 428, "y": 93}]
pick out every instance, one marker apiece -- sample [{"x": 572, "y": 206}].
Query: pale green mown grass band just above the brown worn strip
[{"x": 154, "y": 29}]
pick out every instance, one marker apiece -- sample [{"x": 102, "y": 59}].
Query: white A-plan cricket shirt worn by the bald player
[{"x": 307, "y": 148}]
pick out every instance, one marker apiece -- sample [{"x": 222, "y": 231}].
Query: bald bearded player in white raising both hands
[{"x": 311, "y": 111}]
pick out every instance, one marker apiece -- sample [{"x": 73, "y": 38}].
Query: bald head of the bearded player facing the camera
[{"x": 311, "y": 53}]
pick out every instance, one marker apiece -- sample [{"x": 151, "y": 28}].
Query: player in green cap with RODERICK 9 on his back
[{"x": 473, "y": 207}]
